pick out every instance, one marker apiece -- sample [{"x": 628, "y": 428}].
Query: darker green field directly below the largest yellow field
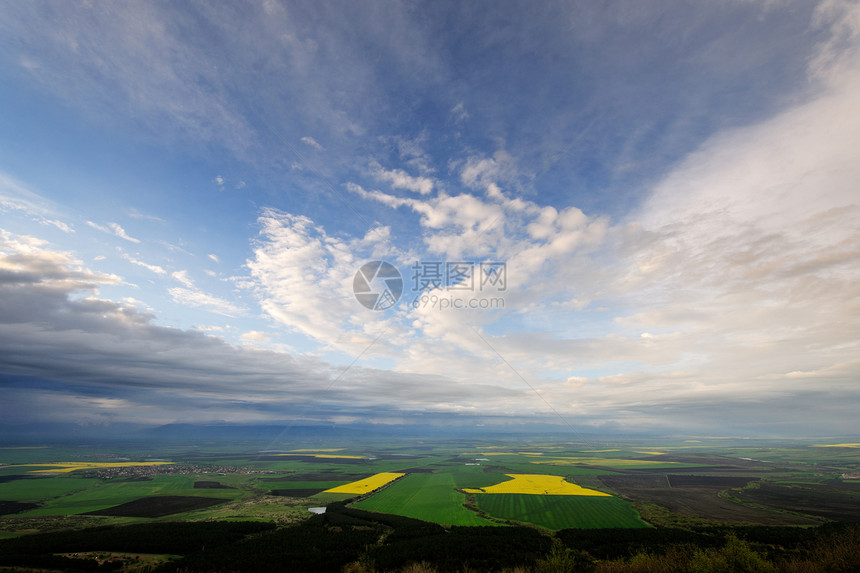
[{"x": 561, "y": 511}]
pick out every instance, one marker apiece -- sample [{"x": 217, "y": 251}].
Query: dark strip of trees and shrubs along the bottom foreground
[{"x": 346, "y": 539}]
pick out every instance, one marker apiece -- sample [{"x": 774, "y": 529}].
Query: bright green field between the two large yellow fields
[{"x": 431, "y": 497}]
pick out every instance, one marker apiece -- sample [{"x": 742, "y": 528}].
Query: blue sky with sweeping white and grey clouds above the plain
[{"x": 637, "y": 216}]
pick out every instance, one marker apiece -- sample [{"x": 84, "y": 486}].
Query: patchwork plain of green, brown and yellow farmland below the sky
[{"x": 546, "y": 483}]
